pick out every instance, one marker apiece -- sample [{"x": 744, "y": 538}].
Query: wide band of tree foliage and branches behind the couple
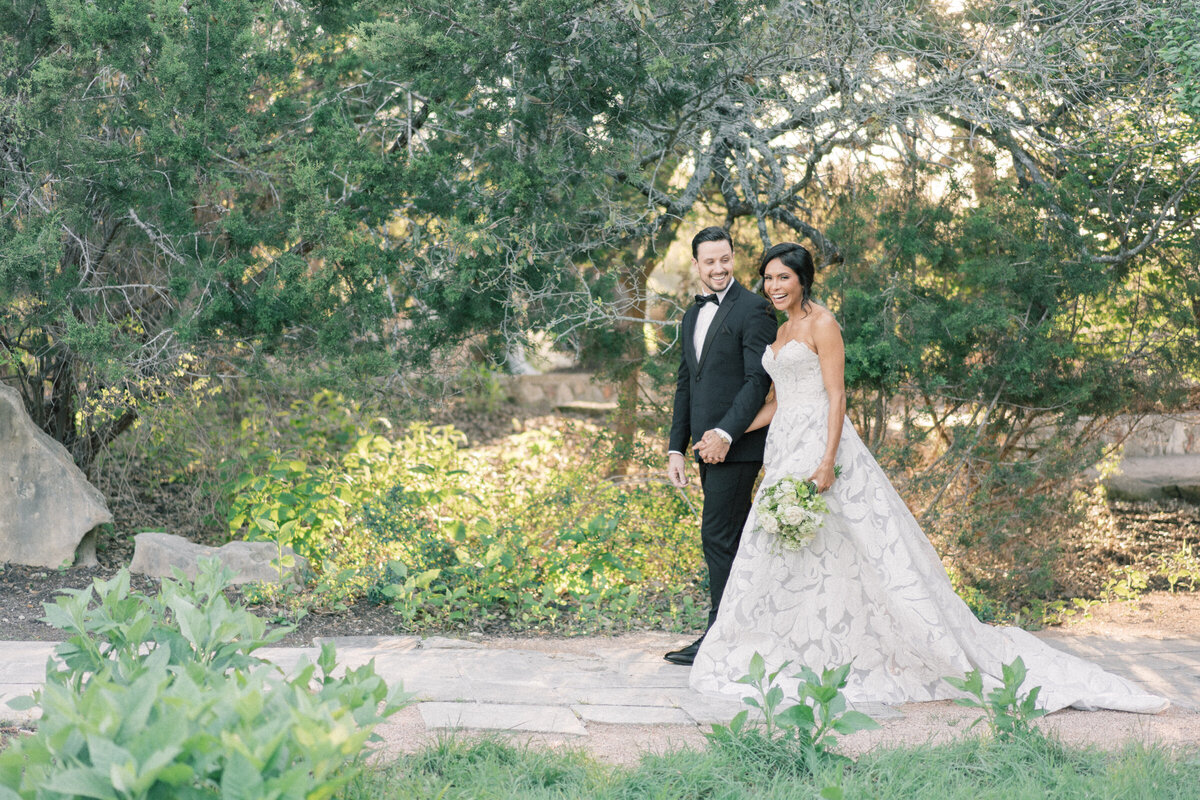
[{"x": 1003, "y": 194}]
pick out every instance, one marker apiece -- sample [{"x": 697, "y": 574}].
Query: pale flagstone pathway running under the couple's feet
[{"x": 617, "y": 697}]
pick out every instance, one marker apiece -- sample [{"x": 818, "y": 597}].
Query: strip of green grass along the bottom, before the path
[{"x": 975, "y": 769}]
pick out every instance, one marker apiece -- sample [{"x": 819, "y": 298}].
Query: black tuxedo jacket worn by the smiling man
[{"x": 725, "y": 389}]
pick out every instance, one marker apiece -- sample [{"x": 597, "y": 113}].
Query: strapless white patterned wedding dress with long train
[{"x": 869, "y": 588}]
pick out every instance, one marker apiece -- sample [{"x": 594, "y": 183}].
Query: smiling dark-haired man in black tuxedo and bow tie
[{"x": 721, "y": 388}]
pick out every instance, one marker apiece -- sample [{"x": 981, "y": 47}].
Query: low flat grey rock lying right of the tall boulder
[{"x": 155, "y": 555}]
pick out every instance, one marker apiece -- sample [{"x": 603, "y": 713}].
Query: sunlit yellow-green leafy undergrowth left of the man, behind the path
[{"x": 525, "y": 534}]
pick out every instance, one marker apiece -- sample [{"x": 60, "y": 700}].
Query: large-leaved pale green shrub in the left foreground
[{"x": 160, "y": 697}]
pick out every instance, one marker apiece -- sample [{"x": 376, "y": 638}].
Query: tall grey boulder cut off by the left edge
[{"x": 47, "y": 507}]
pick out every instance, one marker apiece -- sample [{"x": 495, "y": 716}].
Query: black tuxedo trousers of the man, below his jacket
[{"x": 729, "y": 490}]
